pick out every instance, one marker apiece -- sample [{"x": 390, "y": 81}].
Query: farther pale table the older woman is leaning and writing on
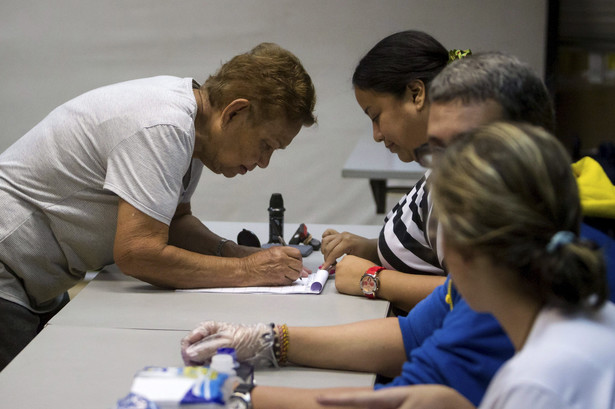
[{"x": 142, "y": 306}]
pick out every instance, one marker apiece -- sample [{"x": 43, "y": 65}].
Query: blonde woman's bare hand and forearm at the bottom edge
[{"x": 406, "y": 397}]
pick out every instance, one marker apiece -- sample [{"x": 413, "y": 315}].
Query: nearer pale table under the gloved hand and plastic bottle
[{"x": 68, "y": 367}]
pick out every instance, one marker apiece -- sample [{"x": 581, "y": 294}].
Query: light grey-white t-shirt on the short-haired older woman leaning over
[{"x": 59, "y": 183}]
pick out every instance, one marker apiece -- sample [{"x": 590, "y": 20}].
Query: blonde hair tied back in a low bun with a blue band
[{"x": 504, "y": 190}]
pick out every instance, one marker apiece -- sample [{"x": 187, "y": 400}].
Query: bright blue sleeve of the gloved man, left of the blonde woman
[{"x": 456, "y": 347}]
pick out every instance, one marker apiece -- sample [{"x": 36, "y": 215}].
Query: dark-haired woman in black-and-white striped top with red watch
[{"x": 391, "y": 84}]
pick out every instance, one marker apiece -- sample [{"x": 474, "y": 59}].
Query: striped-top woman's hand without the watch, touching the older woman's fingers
[{"x": 334, "y": 245}]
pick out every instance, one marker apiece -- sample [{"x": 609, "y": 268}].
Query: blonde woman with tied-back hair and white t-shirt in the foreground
[{"x": 509, "y": 209}]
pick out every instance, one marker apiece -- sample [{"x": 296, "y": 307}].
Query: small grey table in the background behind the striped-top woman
[{"x": 373, "y": 161}]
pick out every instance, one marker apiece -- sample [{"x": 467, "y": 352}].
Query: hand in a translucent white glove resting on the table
[{"x": 253, "y": 343}]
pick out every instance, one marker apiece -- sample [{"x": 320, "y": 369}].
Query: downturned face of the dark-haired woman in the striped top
[{"x": 401, "y": 124}]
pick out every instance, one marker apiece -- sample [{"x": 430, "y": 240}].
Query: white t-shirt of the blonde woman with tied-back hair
[{"x": 568, "y": 362}]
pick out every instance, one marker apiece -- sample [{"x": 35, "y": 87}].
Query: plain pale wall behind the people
[{"x": 51, "y": 51}]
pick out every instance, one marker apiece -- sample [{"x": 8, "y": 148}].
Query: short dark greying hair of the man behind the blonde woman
[{"x": 498, "y": 77}]
